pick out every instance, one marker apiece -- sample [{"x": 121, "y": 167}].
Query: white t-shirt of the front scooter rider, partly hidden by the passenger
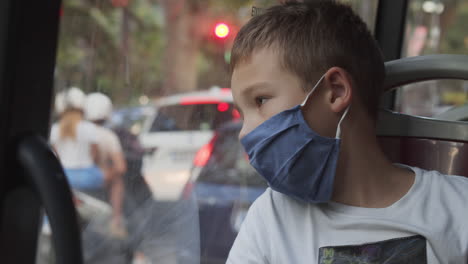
[{"x": 108, "y": 144}]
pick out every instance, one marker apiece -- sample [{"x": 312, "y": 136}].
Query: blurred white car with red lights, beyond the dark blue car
[{"x": 178, "y": 127}]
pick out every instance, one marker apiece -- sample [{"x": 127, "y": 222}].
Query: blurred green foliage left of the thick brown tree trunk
[{"x": 92, "y": 55}]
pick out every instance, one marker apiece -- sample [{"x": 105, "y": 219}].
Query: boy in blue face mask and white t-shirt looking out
[{"x": 307, "y": 80}]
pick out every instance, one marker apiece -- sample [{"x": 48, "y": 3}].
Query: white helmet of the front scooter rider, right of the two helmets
[{"x": 98, "y": 106}]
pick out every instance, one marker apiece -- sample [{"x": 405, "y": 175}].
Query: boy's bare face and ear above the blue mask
[{"x": 262, "y": 88}]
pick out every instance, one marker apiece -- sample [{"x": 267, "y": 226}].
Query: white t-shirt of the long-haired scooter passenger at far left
[{"x": 75, "y": 153}]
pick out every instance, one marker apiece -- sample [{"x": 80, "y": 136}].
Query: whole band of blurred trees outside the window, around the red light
[{"x": 128, "y": 48}]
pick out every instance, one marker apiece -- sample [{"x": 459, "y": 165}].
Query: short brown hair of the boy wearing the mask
[{"x": 313, "y": 37}]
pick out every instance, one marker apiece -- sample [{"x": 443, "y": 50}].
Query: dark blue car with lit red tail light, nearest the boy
[{"x": 225, "y": 185}]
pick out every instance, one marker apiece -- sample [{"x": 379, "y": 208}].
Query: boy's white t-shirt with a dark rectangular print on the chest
[{"x": 427, "y": 225}]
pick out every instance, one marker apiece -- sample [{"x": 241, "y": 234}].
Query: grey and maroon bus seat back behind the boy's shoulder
[{"x": 424, "y": 142}]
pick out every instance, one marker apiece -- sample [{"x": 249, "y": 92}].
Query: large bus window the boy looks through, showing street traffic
[{"x": 156, "y": 178}]
